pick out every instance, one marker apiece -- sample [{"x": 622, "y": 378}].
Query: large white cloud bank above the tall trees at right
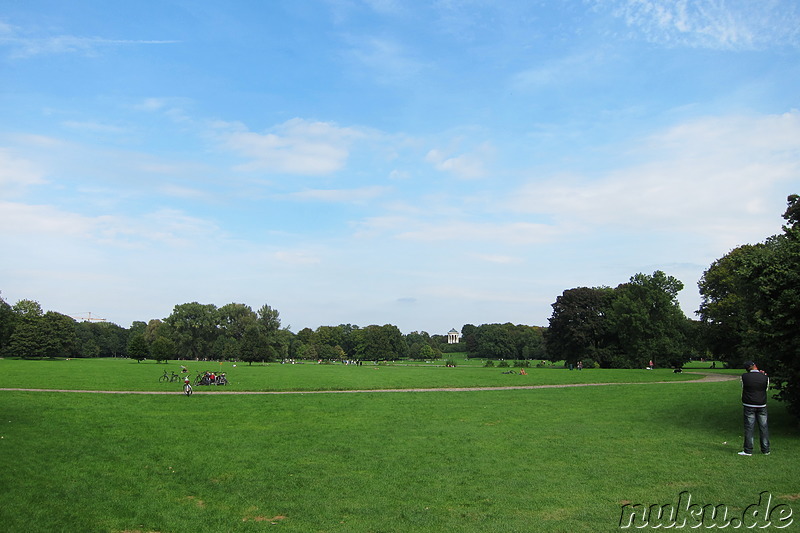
[{"x": 723, "y": 178}]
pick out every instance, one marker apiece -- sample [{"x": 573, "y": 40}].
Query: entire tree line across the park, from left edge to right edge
[{"x": 750, "y": 309}]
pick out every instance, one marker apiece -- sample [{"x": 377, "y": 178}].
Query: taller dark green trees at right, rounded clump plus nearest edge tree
[{"x": 750, "y": 310}]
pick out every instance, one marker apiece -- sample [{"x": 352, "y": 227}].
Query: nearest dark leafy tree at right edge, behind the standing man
[{"x": 751, "y": 306}]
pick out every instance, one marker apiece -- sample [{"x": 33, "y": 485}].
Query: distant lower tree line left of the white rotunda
[{"x": 204, "y": 331}]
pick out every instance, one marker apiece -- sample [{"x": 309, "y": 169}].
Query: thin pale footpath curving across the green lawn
[{"x": 707, "y": 378}]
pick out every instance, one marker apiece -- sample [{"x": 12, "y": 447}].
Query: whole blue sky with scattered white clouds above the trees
[{"x": 423, "y": 164}]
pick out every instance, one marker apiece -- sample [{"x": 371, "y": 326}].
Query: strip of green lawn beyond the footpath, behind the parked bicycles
[{"x": 125, "y": 374}]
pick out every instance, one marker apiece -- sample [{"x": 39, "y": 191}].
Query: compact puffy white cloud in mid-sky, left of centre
[{"x": 297, "y": 146}]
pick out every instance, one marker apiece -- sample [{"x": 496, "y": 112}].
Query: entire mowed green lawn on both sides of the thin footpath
[{"x": 554, "y": 459}]
